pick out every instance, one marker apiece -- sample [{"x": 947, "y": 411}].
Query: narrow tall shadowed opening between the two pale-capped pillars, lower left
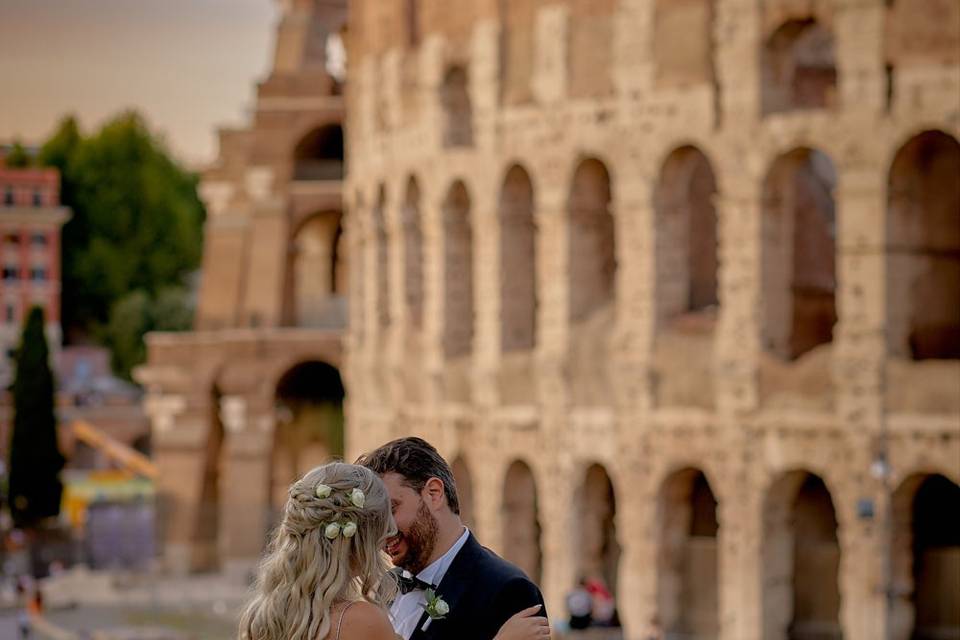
[{"x": 206, "y": 537}]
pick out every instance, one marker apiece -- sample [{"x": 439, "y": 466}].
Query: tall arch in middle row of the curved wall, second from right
[{"x": 798, "y": 230}]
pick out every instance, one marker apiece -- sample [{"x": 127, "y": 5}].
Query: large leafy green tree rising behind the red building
[{"x": 136, "y": 222}]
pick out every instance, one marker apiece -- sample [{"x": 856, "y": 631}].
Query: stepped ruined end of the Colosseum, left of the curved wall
[{"x": 253, "y": 396}]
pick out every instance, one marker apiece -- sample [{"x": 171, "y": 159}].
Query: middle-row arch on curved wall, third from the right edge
[{"x": 686, "y": 234}]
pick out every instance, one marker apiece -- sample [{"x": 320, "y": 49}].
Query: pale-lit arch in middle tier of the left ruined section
[{"x": 317, "y": 272}]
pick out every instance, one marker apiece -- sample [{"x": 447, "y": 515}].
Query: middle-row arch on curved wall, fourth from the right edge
[{"x": 592, "y": 254}]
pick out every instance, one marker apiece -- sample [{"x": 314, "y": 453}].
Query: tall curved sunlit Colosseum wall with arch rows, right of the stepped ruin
[{"x": 781, "y": 393}]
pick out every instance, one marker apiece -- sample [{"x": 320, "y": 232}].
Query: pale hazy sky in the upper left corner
[{"x": 188, "y": 65}]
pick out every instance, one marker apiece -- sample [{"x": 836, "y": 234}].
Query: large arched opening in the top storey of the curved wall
[{"x": 799, "y": 67}]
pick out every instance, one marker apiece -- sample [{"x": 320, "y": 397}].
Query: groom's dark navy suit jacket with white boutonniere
[{"x": 483, "y": 591}]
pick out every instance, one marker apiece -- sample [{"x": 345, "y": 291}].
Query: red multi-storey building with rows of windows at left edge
[{"x": 30, "y": 221}]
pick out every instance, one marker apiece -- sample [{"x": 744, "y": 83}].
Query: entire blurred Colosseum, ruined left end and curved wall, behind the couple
[{"x": 675, "y": 284}]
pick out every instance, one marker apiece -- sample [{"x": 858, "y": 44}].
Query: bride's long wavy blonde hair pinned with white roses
[{"x": 305, "y": 573}]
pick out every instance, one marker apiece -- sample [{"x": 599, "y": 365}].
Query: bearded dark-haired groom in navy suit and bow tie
[{"x": 436, "y": 554}]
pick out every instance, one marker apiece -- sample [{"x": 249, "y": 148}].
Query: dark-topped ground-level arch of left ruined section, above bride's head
[{"x": 309, "y": 425}]
